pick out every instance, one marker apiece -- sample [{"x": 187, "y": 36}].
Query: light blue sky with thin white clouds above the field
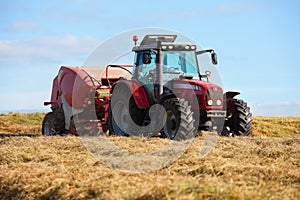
[{"x": 257, "y": 43}]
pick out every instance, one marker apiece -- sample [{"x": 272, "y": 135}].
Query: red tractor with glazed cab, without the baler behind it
[{"x": 168, "y": 74}]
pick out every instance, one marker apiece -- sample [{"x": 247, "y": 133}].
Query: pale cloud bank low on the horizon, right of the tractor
[{"x": 286, "y": 108}]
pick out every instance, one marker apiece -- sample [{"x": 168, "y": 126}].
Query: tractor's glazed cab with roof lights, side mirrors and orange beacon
[{"x": 159, "y": 61}]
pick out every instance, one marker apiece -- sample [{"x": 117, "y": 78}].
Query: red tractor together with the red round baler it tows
[{"x": 166, "y": 93}]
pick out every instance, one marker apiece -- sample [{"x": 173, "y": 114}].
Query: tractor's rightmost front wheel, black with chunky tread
[{"x": 238, "y": 120}]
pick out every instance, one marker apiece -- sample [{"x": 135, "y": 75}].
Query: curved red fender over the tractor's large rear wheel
[{"x": 137, "y": 90}]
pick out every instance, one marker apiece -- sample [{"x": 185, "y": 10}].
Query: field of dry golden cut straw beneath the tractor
[{"x": 265, "y": 166}]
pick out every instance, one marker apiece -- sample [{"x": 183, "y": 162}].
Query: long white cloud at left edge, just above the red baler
[{"x": 50, "y": 48}]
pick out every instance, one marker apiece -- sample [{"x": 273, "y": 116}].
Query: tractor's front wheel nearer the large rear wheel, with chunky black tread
[{"x": 179, "y": 123}]
